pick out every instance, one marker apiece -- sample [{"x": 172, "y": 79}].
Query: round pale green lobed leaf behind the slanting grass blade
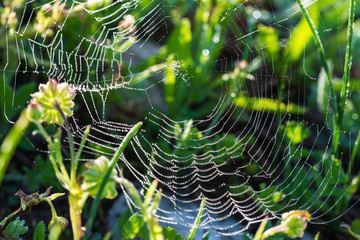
[{"x": 94, "y": 175}]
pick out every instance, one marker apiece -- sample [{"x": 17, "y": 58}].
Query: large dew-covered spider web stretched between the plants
[{"x": 235, "y": 119}]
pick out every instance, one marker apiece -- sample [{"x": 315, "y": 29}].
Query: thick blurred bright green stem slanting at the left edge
[{"x": 11, "y": 141}]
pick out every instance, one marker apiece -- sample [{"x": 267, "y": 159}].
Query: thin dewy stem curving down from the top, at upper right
[{"x": 325, "y": 66}]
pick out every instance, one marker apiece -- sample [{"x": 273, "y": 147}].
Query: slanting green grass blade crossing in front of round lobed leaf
[{"x": 113, "y": 162}]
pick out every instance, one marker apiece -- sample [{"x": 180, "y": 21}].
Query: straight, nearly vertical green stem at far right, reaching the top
[{"x": 347, "y": 67}]
